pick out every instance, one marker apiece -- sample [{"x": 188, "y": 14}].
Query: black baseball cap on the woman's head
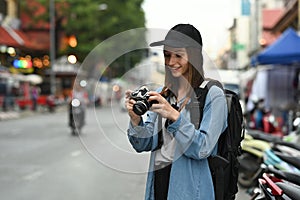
[{"x": 181, "y": 36}]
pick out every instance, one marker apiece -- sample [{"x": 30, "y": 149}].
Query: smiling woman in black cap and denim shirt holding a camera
[{"x": 179, "y": 167}]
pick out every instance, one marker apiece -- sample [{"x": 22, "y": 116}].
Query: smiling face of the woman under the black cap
[{"x": 176, "y": 59}]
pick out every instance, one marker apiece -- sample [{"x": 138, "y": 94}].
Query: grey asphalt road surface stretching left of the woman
[{"x": 39, "y": 159}]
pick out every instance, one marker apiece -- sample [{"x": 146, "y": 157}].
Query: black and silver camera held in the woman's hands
[{"x": 141, "y": 97}]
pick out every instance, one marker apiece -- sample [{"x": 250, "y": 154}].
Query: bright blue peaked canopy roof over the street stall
[{"x": 284, "y": 51}]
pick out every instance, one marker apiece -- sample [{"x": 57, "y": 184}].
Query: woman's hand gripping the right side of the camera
[{"x": 163, "y": 107}]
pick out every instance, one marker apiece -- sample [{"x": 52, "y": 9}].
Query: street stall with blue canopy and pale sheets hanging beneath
[{"x": 277, "y": 81}]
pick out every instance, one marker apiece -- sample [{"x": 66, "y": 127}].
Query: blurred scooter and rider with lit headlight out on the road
[{"x": 76, "y": 116}]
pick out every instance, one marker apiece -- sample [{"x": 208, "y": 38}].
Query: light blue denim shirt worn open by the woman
[{"x": 190, "y": 177}]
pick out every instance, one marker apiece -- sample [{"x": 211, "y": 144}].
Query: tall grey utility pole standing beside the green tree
[{"x": 52, "y": 46}]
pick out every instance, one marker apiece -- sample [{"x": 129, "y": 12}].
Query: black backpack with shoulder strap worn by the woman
[{"x": 223, "y": 166}]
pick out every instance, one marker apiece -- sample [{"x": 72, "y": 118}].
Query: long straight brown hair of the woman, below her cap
[{"x": 195, "y": 71}]
